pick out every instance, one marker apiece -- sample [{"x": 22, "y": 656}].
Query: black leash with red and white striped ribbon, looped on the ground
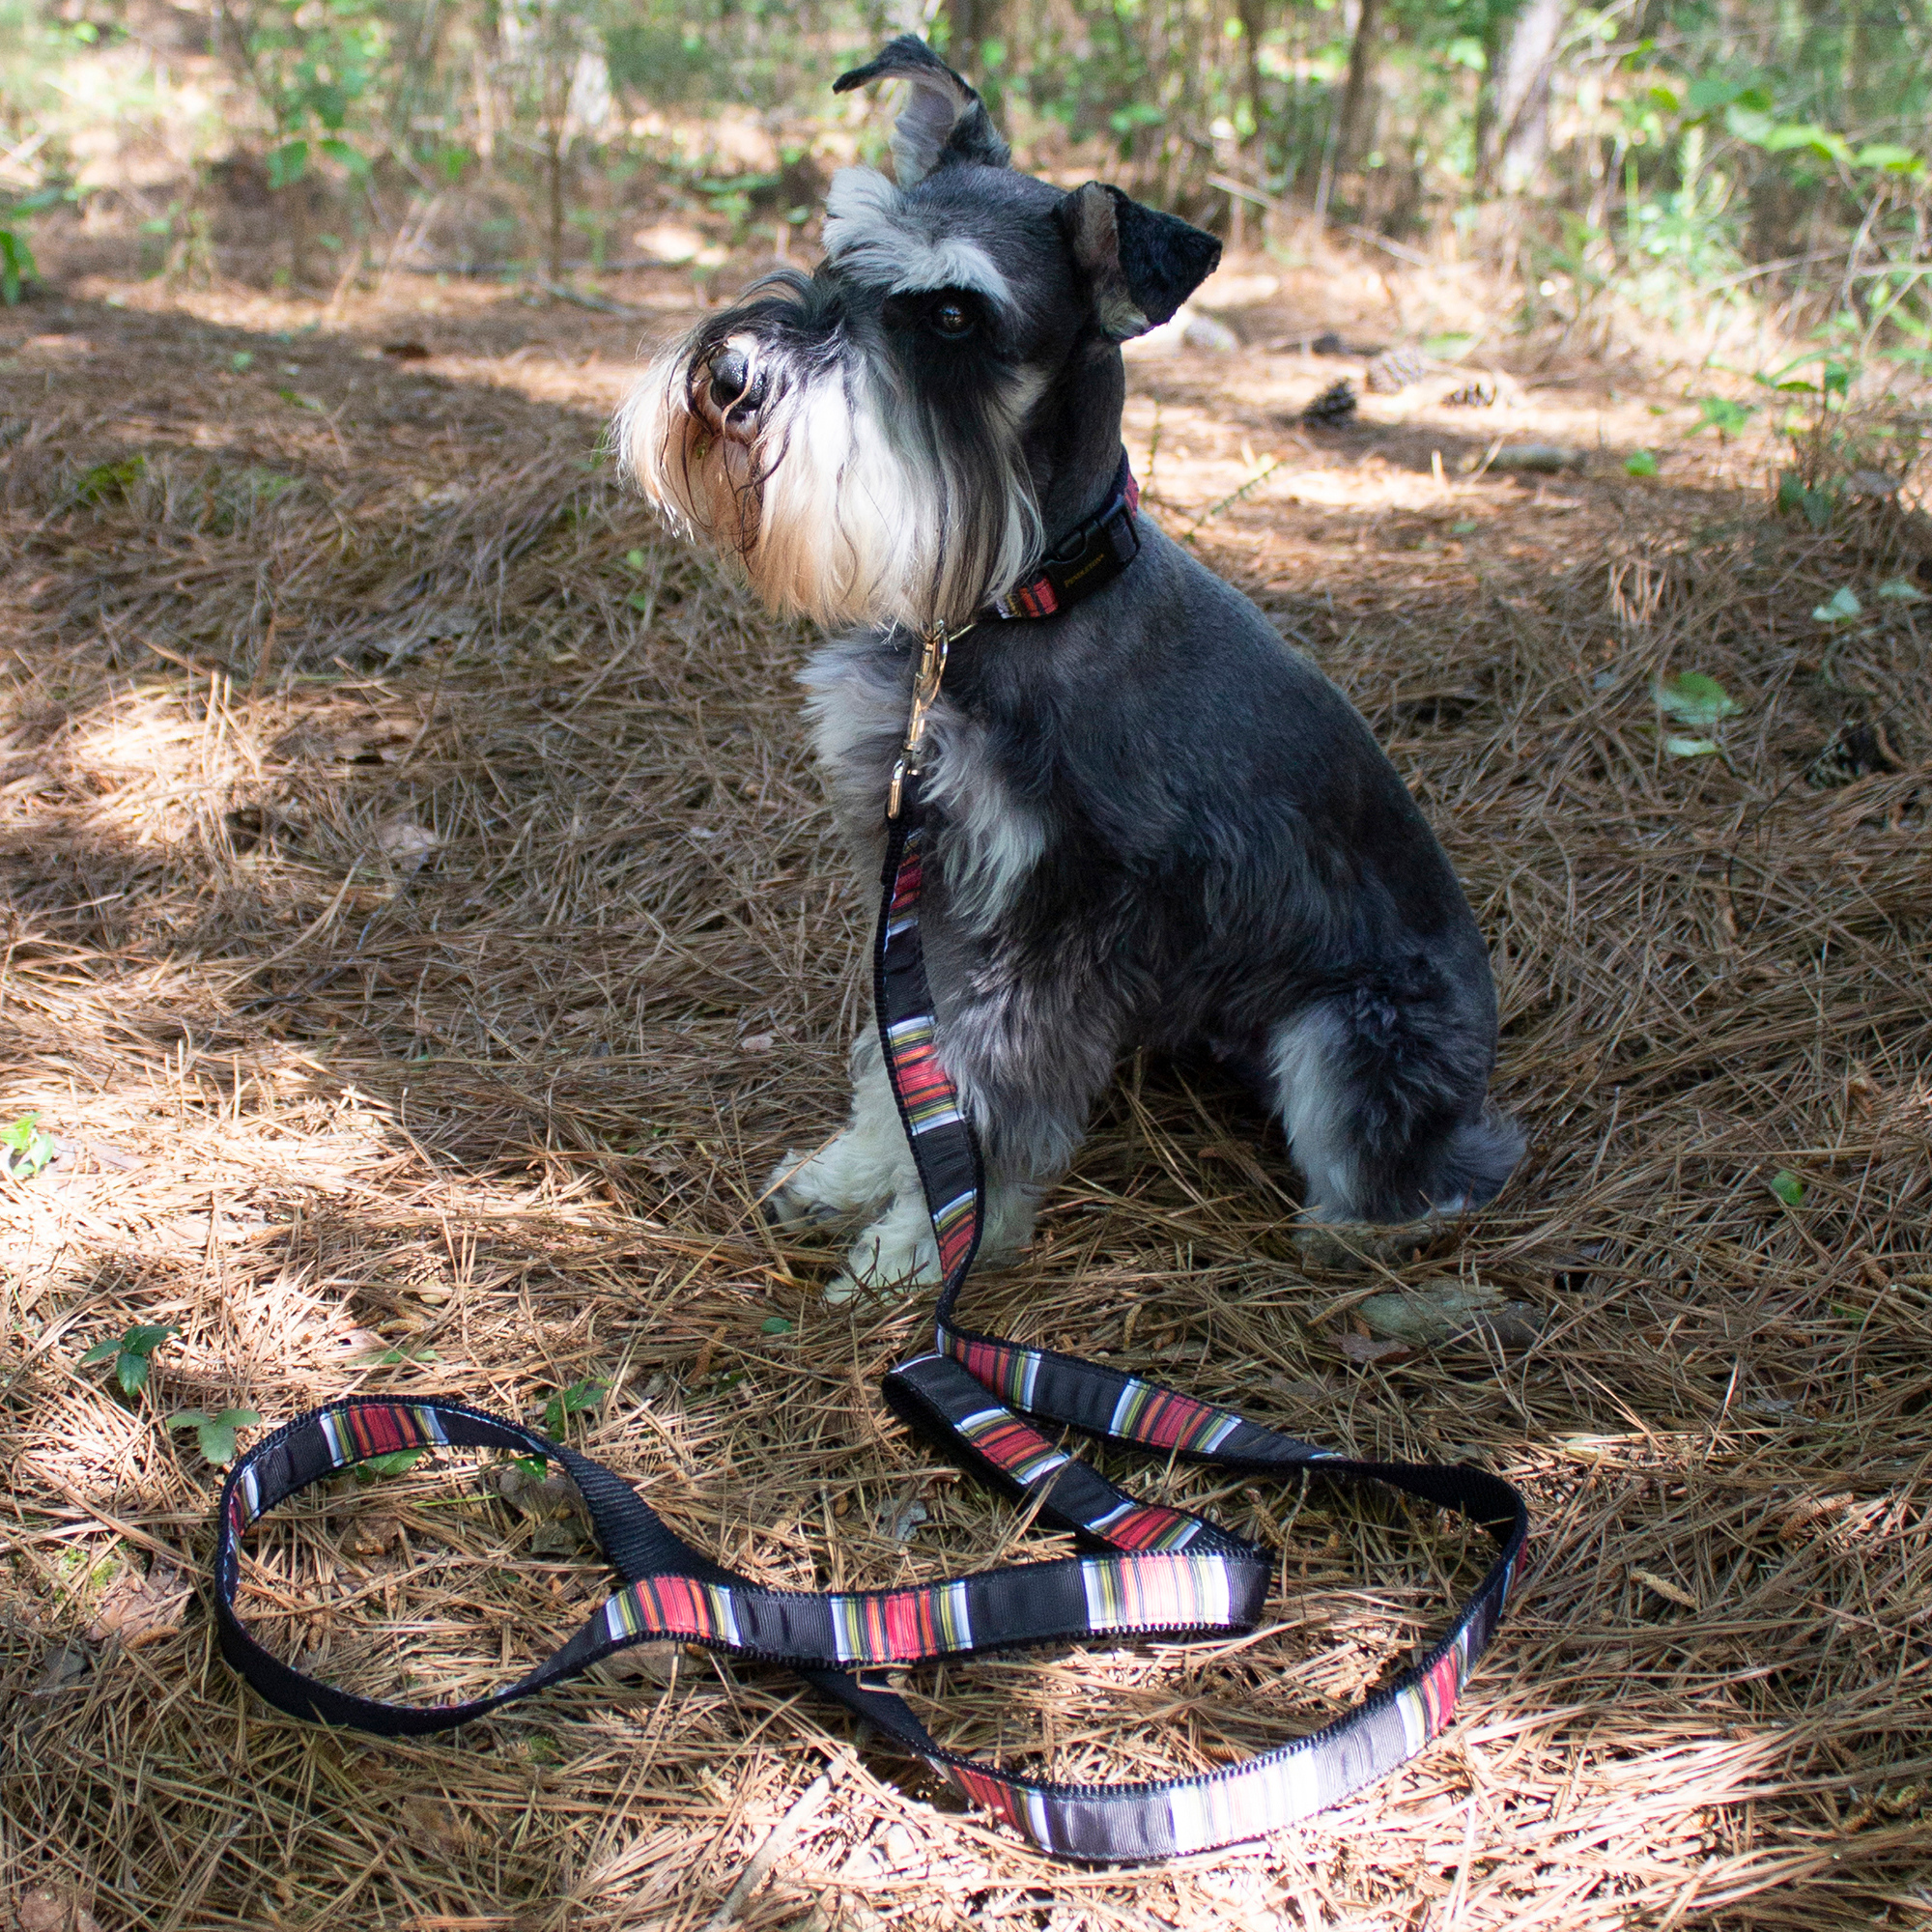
[{"x": 980, "y": 1400}]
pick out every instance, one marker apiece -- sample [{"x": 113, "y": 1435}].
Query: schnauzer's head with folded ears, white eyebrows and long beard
[{"x": 882, "y": 440}]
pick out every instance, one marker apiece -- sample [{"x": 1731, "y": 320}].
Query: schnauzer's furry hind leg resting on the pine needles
[{"x": 1384, "y": 1098}]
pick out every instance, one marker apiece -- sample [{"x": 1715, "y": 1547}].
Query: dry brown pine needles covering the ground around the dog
[{"x": 422, "y": 932}]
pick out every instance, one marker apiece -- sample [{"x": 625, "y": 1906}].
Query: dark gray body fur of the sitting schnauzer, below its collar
[{"x": 1176, "y": 834}]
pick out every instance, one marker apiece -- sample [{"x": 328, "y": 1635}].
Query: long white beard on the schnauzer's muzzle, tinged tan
[{"x": 828, "y": 515}]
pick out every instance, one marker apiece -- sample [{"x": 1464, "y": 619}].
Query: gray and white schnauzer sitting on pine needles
[{"x": 1152, "y": 824}]
